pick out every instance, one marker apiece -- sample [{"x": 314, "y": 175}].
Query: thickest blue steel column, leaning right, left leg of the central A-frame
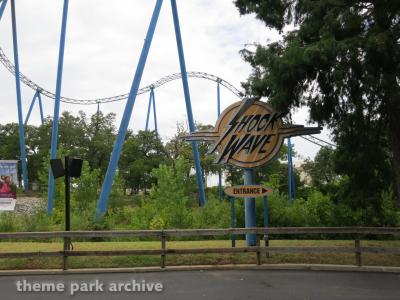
[{"x": 112, "y": 166}]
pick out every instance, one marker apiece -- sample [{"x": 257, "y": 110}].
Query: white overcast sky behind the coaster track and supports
[{"x": 103, "y": 44}]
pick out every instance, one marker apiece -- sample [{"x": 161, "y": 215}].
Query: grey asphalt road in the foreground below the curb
[{"x": 193, "y": 285}]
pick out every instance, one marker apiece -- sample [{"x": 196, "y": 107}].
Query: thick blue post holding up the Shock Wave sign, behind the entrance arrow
[{"x": 250, "y": 208}]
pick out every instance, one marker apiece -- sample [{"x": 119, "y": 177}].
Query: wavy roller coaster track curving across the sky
[{"x": 10, "y": 67}]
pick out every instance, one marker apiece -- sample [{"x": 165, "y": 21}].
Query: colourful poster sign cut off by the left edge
[{"x": 8, "y": 184}]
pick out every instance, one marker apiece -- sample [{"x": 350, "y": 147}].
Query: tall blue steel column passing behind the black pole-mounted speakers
[{"x": 57, "y": 100}]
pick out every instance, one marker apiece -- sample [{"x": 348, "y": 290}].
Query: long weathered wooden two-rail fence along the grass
[{"x": 164, "y": 235}]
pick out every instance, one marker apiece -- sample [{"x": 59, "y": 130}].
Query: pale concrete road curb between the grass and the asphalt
[{"x": 300, "y": 267}]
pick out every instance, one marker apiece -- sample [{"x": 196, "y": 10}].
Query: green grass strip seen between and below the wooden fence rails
[{"x": 192, "y": 259}]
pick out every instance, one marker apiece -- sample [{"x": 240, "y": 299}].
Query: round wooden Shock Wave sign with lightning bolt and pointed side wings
[{"x": 249, "y": 134}]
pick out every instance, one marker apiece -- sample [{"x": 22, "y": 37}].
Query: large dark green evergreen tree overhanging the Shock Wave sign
[{"x": 342, "y": 60}]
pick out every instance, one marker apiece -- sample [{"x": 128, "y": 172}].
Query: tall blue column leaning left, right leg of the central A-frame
[{"x": 185, "y": 83}]
